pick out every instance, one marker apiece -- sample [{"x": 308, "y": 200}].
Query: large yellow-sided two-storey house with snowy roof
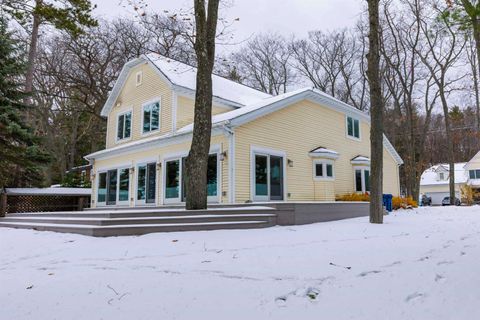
[{"x": 300, "y": 146}]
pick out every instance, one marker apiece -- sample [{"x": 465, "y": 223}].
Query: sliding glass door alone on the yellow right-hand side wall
[{"x": 268, "y": 177}]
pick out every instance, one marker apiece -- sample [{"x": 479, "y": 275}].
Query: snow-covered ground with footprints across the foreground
[{"x": 422, "y": 264}]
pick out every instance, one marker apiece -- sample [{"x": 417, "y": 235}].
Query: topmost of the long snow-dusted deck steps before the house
[{"x": 144, "y": 212}]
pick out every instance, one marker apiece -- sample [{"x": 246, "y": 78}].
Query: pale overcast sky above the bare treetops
[{"x": 282, "y": 16}]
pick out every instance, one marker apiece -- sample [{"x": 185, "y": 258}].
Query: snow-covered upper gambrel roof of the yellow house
[{"x": 182, "y": 79}]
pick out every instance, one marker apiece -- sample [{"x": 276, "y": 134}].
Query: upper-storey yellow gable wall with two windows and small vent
[{"x": 133, "y": 97}]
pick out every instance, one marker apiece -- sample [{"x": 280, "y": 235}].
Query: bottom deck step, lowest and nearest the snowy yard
[{"x": 126, "y": 230}]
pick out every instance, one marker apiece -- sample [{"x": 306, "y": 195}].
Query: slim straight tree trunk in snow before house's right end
[{"x": 376, "y": 114}]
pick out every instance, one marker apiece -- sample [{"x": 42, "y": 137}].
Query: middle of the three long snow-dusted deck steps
[{"x": 102, "y": 221}]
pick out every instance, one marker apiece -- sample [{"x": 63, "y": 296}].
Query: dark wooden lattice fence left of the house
[{"x": 16, "y": 202}]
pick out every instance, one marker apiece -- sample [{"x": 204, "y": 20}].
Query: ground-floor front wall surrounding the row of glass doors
[{"x": 158, "y": 155}]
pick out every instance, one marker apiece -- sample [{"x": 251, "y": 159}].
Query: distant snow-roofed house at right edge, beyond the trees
[{"x": 434, "y": 181}]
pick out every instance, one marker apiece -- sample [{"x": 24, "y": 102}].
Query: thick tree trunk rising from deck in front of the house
[{"x": 197, "y": 159}]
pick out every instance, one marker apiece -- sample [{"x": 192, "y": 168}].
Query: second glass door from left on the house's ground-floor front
[{"x": 146, "y": 183}]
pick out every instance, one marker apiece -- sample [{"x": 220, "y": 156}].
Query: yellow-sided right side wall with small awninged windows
[{"x": 296, "y": 130}]
